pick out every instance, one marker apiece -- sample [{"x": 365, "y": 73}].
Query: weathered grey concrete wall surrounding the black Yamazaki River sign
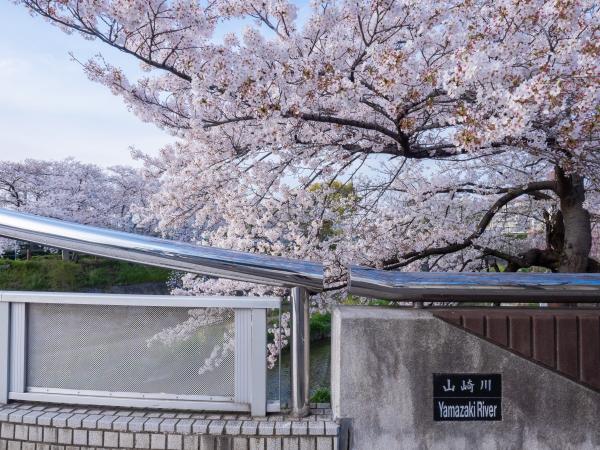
[{"x": 382, "y": 365}]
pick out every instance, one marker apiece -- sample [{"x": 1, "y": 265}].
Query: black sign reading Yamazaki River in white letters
[{"x": 467, "y": 396}]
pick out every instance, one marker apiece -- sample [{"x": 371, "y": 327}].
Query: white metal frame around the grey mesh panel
[{"x": 250, "y": 315}]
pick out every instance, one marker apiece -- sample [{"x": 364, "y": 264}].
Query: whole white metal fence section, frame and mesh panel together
[{"x": 179, "y": 352}]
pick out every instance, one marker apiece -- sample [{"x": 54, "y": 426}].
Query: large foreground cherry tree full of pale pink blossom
[{"x": 467, "y": 129}]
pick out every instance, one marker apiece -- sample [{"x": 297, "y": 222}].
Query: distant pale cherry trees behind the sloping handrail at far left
[{"x": 74, "y": 191}]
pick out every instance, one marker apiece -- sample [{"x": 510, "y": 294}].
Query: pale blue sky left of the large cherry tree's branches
[{"x": 48, "y": 107}]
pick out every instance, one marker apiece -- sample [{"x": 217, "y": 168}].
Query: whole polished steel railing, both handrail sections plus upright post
[{"x": 302, "y": 276}]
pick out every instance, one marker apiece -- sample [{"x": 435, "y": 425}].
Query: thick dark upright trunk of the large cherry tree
[{"x": 577, "y": 225}]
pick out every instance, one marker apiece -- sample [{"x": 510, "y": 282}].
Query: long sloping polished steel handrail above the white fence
[{"x": 203, "y": 260}]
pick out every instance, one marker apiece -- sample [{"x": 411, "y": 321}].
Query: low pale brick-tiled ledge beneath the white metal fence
[{"x": 27, "y": 426}]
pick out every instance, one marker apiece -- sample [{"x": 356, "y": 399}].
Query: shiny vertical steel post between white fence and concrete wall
[{"x": 300, "y": 352}]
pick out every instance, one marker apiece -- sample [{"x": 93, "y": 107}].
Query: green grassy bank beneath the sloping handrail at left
[{"x": 51, "y": 273}]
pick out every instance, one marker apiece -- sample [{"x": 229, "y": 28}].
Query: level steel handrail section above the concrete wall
[{"x": 474, "y": 287}]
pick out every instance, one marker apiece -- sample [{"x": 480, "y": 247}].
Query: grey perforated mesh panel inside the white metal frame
[{"x": 115, "y": 348}]
